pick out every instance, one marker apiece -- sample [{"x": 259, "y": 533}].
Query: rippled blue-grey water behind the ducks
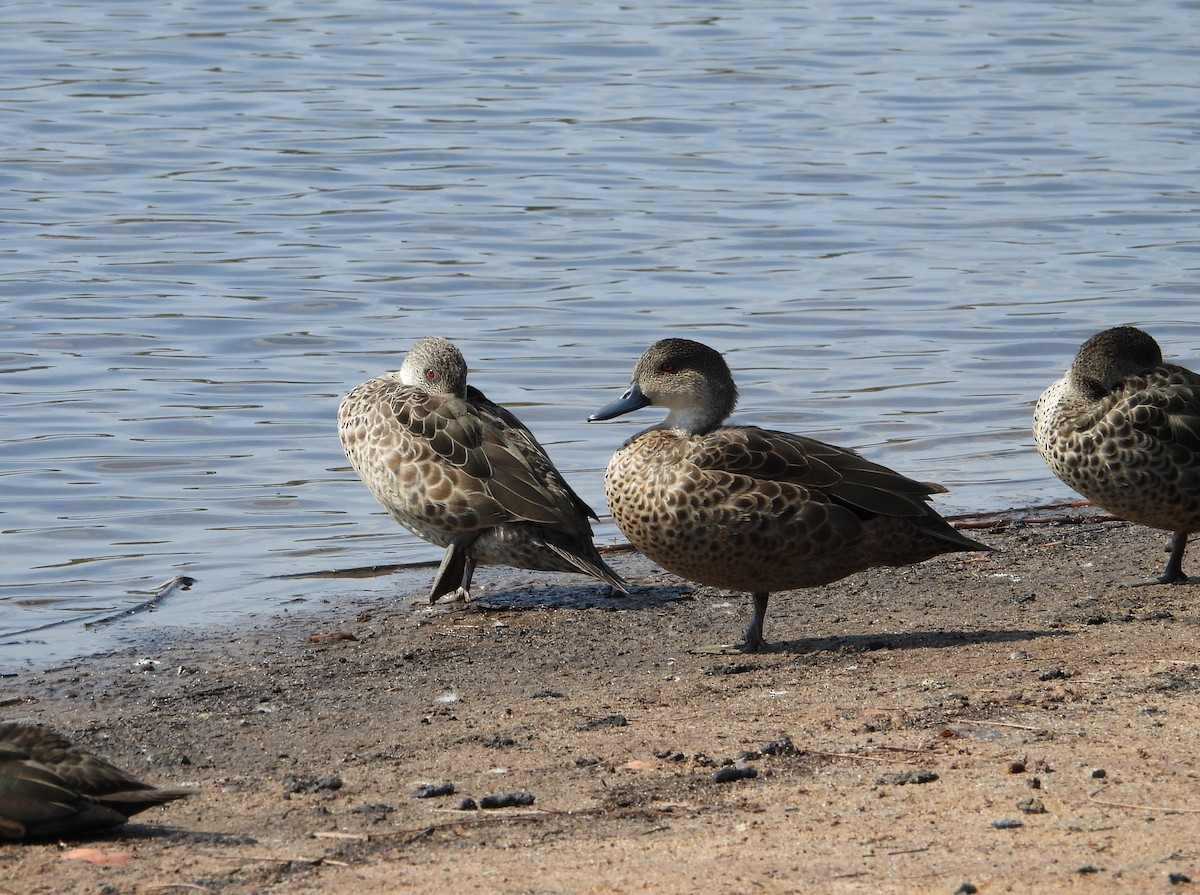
[{"x": 898, "y": 220}]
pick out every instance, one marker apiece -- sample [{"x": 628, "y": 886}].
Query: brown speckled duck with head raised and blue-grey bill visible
[{"x": 752, "y": 509}]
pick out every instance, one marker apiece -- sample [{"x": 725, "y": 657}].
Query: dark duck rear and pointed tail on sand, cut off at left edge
[{"x": 50, "y": 788}]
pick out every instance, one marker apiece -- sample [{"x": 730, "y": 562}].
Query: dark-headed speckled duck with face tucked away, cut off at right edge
[{"x": 1123, "y": 428}]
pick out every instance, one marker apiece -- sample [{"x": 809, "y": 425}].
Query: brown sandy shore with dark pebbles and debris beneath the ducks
[{"x": 1004, "y": 723}]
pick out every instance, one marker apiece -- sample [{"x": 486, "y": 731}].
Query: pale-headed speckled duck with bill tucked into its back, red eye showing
[{"x": 465, "y": 474}]
